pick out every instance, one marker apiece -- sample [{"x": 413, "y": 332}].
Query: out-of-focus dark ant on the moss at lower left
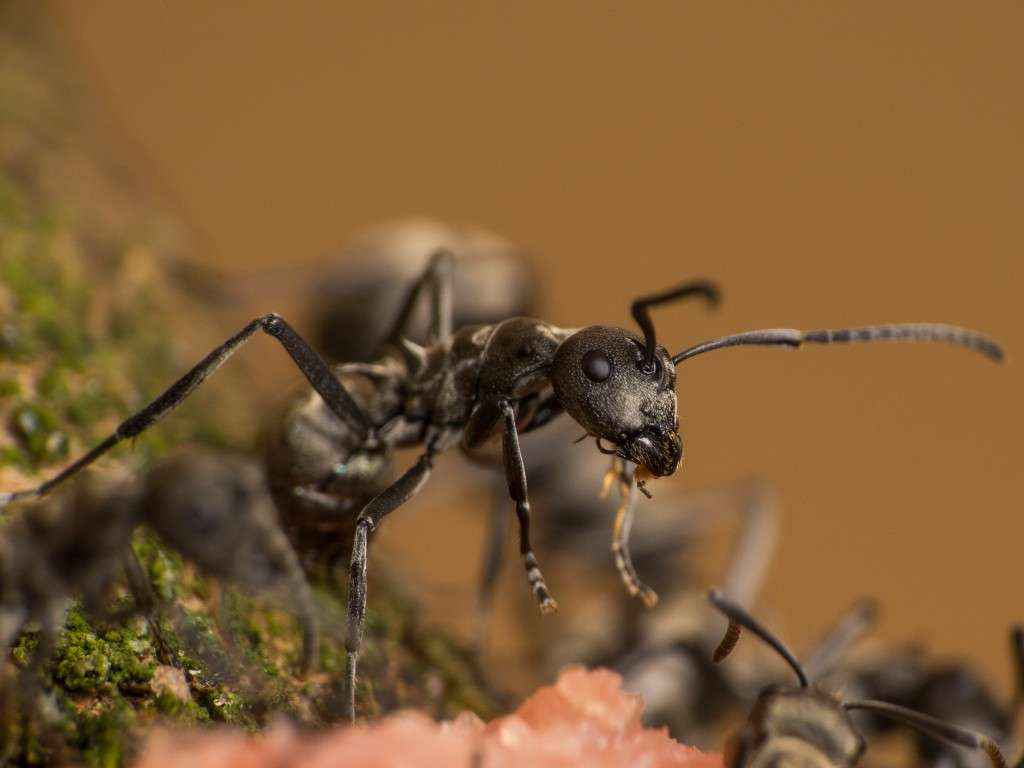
[{"x": 212, "y": 509}]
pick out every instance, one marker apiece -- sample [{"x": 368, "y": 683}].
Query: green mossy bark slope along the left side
[{"x": 91, "y": 284}]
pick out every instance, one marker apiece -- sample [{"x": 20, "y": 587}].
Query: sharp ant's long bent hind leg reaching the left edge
[{"x": 306, "y": 358}]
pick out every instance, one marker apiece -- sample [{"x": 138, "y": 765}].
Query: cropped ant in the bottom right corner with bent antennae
[{"x": 809, "y": 727}]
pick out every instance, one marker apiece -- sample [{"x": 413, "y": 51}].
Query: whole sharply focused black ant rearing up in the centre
[{"x": 470, "y": 385}]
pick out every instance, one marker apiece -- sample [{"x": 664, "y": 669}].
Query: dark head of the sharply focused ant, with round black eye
[{"x": 606, "y": 380}]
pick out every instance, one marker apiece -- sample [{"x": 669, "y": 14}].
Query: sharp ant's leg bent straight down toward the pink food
[{"x": 385, "y": 504}]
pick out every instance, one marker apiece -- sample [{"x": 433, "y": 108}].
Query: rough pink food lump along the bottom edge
[{"x": 585, "y": 719}]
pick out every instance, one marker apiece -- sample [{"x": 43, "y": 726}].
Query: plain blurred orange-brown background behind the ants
[{"x": 829, "y": 164}]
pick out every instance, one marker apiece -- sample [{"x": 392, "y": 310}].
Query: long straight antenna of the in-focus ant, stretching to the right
[{"x": 931, "y": 332}]
